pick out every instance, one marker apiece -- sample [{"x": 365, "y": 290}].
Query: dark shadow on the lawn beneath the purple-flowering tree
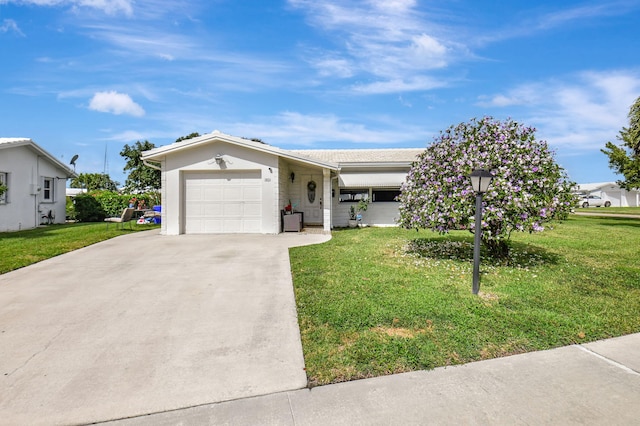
[{"x": 461, "y": 248}]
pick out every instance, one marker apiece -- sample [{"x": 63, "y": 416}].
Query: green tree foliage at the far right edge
[{"x": 625, "y": 159}]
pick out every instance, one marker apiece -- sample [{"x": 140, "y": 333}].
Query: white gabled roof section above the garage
[{"x": 158, "y": 153}]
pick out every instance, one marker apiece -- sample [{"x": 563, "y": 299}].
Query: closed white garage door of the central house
[{"x": 223, "y": 202}]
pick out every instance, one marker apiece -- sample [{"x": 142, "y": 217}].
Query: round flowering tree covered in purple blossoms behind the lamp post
[{"x": 528, "y": 188}]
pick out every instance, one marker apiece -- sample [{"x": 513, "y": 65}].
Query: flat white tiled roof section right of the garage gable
[{"x": 362, "y": 156}]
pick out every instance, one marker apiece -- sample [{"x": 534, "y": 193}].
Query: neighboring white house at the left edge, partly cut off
[{"x": 36, "y": 184}]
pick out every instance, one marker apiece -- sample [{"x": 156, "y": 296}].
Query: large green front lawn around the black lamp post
[{"x": 377, "y": 301}]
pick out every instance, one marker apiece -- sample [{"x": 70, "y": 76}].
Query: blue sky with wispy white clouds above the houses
[{"x": 88, "y": 76}]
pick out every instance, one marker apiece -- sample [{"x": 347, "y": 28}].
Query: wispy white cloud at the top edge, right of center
[{"x": 390, "y": 41}]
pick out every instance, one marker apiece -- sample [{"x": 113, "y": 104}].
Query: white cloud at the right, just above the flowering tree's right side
[{"x": 580, "y": 112}]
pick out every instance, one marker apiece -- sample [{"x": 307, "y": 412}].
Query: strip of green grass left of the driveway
[{"x": 22, "y": 248}]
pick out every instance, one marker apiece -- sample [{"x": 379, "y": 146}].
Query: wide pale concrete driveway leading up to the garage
[{"x": 146, "y": 323}]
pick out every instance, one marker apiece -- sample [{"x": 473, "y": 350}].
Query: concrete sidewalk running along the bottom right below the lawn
[{"x": 591, "y": 384}]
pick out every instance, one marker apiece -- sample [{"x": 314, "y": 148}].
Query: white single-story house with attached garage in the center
[{"x": 218, "y": 183}]
